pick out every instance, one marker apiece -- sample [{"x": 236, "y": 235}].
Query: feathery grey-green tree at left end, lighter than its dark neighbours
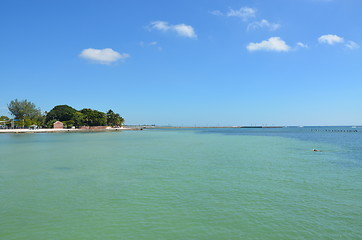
[{"x": 24, "y": 109}]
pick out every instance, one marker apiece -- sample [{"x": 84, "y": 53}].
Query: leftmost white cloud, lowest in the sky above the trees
[{"x": 102, "y": 56}]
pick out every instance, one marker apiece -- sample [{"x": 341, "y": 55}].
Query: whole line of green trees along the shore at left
[{"x": 27, "y": 114}]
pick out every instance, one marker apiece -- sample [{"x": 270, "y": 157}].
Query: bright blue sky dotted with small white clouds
[{"x": 187, "y": 63}]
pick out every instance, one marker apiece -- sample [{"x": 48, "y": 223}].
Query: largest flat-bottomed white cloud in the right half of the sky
[{"x": 272, "y": 44}]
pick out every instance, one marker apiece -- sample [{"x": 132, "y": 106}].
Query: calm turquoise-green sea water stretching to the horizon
[{"x": 181, "y": 184}]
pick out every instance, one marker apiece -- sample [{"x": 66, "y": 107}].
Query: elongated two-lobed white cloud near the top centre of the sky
[{"x": 181, "y": 29}]
